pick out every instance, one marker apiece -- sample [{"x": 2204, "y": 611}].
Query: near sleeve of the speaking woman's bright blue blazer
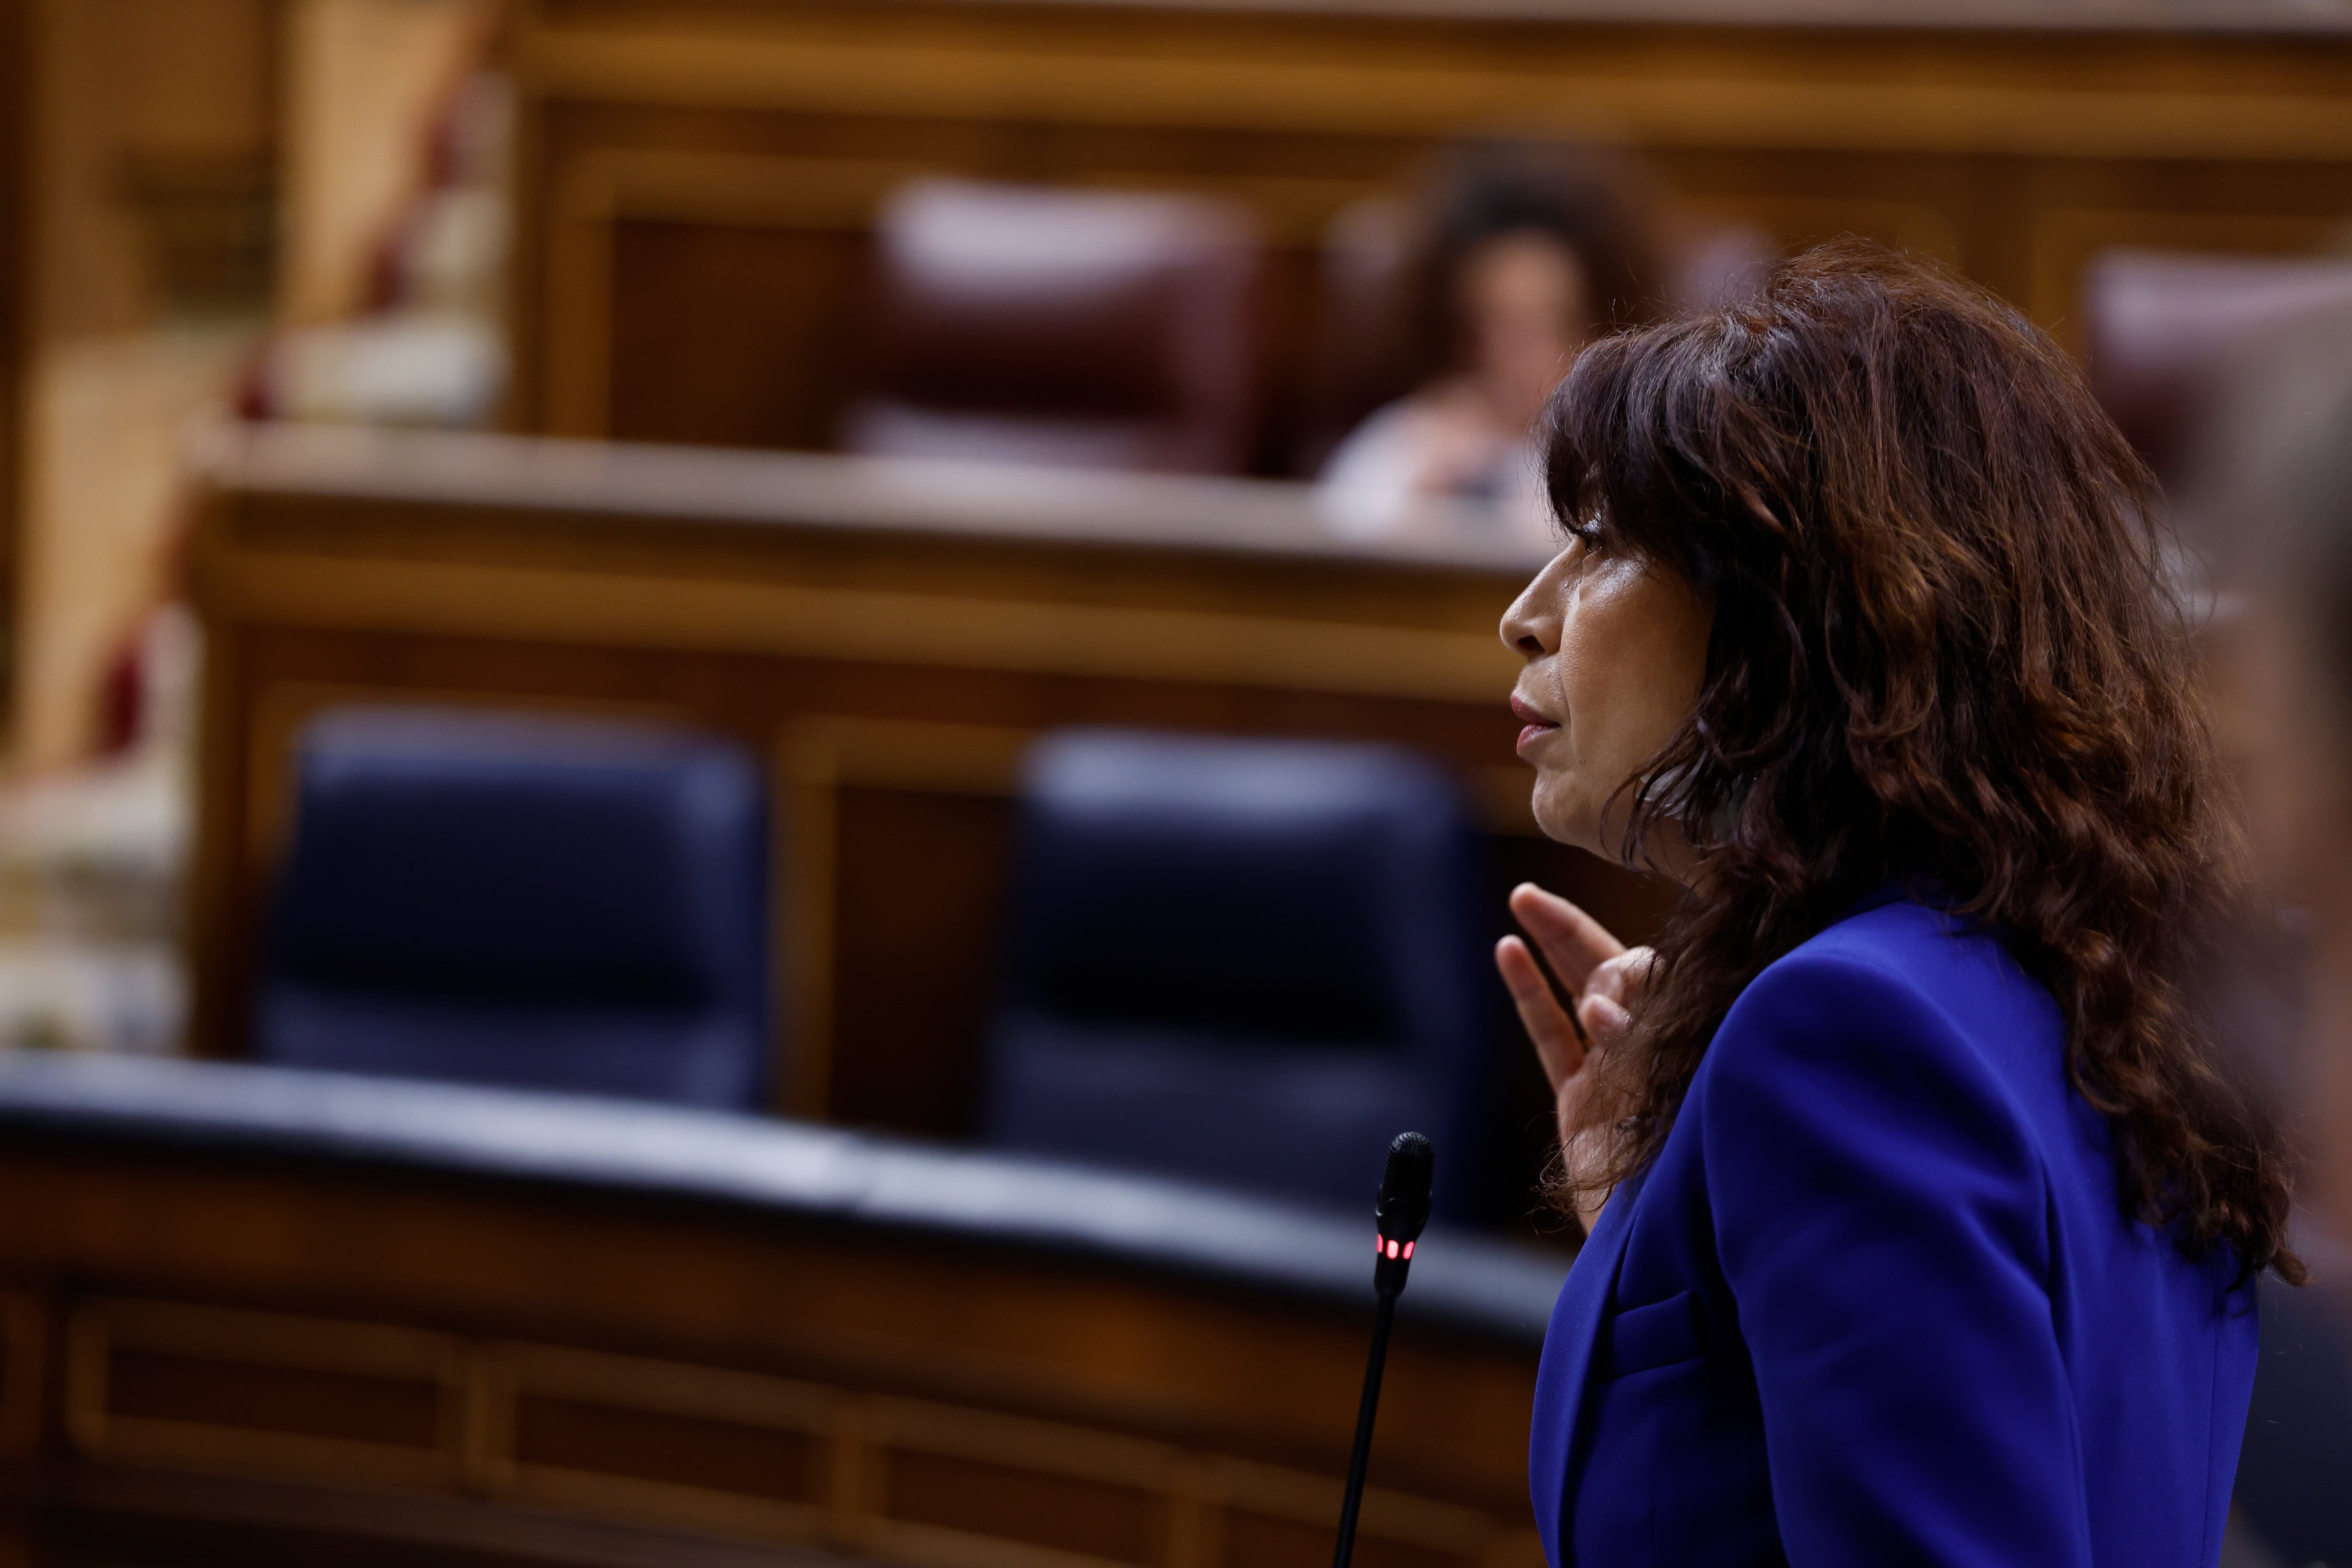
[{"x": 1880, "y": 1217}]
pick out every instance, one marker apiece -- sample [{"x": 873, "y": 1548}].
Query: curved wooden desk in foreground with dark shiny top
[{"x": 272, "y": 1318}]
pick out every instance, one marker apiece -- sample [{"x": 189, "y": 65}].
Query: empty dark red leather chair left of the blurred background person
[{"x": 1083, "y": 328}]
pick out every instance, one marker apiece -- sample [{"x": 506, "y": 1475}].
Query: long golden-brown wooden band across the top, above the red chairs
[{"x": 1356, "y": 72}]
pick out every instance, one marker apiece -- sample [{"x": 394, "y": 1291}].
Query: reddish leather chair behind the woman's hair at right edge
[{"x": 2165, "y": 333}]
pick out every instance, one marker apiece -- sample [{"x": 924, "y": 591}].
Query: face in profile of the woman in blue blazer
[{"x": 1617, "y": 650}]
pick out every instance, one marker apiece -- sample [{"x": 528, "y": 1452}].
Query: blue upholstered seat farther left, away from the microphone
[{"x": 523, "y": 902}]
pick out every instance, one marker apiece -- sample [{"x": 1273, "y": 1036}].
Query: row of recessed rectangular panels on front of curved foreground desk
[{"x": 711, "y": 1449}]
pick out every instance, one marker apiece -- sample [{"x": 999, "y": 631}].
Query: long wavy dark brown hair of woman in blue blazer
[{"x": 1946, "y": 650}]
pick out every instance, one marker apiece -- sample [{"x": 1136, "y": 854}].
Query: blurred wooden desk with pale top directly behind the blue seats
[{"x": 886, "y": 636}]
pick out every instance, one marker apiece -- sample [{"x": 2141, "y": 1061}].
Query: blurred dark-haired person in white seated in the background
[{"x": 1518, "y": 257}]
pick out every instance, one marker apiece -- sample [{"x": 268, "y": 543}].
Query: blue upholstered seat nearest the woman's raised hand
[{"x": 1248, "y": 963}]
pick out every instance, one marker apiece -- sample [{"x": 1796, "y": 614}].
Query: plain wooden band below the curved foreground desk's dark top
[{"x": 838, "y": 1311}]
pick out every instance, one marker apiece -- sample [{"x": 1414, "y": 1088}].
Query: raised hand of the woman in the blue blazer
[{"x": 1603, "y": 977}]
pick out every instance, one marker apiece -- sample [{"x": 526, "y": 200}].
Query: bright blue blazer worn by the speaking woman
[{"x": 1876, "y": 1301}]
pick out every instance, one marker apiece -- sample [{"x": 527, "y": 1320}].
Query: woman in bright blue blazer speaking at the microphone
[{"x": 1925, "y": 1221}]
